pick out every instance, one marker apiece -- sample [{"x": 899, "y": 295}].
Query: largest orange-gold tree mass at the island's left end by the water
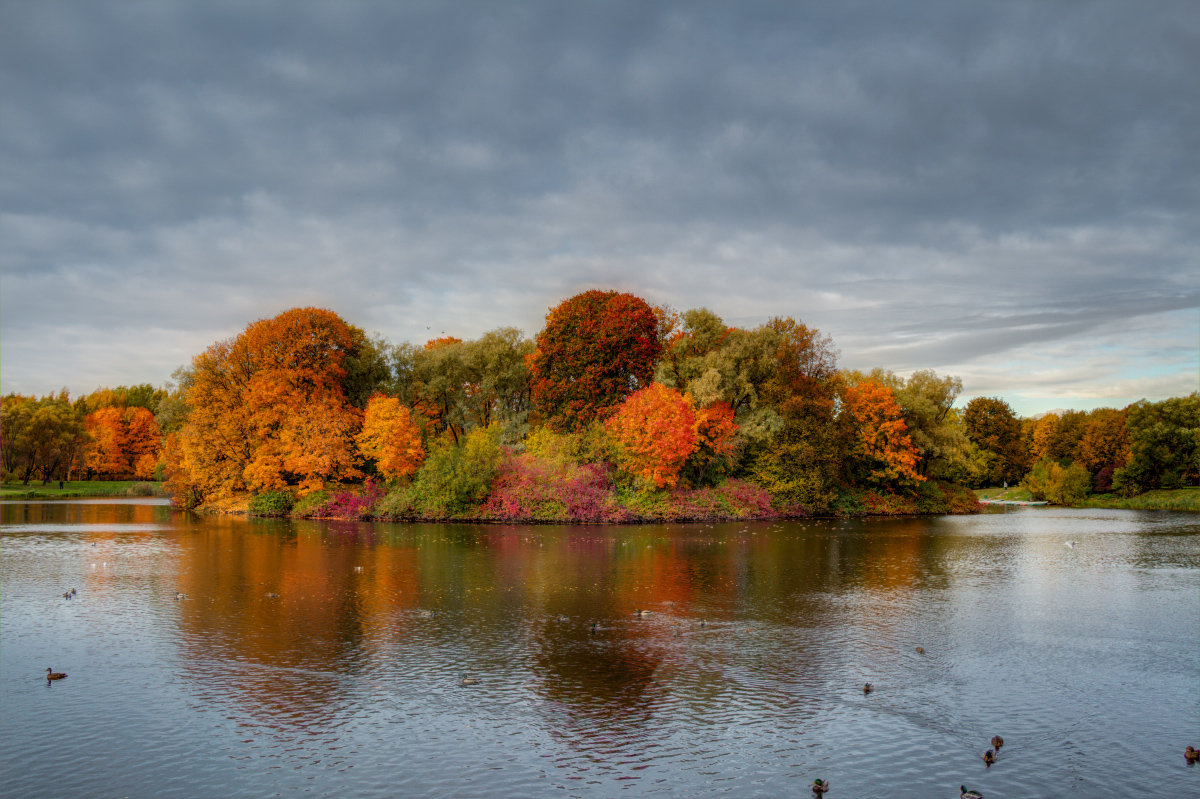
[{"x": 268, "y": 410}]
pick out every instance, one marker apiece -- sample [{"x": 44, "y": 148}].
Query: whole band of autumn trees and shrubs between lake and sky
[{"x": 616, "y": 412}]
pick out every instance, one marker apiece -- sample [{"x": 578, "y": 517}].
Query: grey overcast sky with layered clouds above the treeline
[{"x": 1007, "y": 193}]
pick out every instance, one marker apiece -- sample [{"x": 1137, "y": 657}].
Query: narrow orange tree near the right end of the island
[{"x": 883, "y": 453}]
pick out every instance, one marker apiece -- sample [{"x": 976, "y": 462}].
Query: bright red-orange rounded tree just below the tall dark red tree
[{"x": 655, "y": 431}]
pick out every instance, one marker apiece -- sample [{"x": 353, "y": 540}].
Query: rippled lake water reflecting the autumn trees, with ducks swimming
[{"x": 254, "y": 658}]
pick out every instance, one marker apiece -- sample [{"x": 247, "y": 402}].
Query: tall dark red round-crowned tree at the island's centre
[{"x": 597, "y": 350}]
